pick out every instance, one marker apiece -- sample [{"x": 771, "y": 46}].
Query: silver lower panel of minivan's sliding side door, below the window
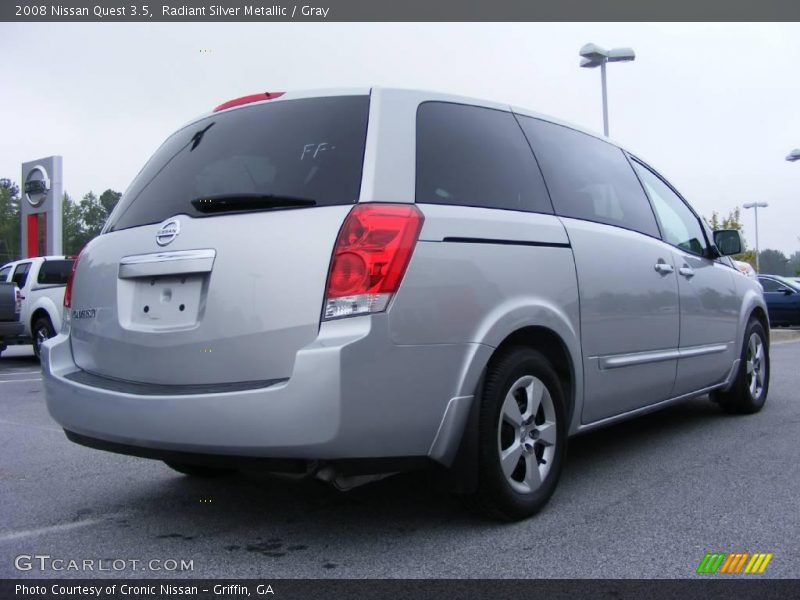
[{"x": 627, "y": 308}]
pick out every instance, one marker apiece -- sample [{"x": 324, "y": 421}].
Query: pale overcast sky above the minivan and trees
[{"x": 714, "y": 107}]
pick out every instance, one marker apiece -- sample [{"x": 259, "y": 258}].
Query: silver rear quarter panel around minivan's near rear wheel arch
[{"x": 457, "y": 292}]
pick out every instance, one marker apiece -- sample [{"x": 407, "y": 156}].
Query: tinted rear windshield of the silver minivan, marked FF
[{"x": 310, "y": 149}]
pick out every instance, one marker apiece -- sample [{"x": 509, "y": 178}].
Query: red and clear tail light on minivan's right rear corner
[{"x": 370, "y": 258}]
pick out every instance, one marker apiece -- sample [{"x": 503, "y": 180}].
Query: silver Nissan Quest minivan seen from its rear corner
[{"x": 358, "y": 282}]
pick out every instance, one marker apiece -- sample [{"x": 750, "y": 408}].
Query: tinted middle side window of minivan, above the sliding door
[{"x": 589, "y": 178}]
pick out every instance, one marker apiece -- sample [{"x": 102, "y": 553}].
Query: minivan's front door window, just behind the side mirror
[{"x": 679, "y": 224}]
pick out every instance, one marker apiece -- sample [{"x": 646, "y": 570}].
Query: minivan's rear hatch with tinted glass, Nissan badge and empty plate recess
[{"x": 213, "y": 267}]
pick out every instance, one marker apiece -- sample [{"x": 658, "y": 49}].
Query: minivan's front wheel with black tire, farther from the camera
[{"x": 743, "y": 397}]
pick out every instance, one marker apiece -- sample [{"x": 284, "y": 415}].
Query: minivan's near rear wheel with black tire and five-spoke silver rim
[{"x": 522, "y": 415}]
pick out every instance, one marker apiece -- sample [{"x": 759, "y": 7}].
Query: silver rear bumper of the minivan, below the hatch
[{"x": 352, "y": 394}]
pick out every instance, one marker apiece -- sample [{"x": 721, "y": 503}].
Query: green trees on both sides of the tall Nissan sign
[{"x": 82, "y": 219}]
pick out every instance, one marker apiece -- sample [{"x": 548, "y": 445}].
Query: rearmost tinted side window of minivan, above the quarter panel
[{"x": 473, "y": 156}]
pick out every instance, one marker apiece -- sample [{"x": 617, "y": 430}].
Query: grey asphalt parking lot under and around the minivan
[{"x": 643, "y": 499}]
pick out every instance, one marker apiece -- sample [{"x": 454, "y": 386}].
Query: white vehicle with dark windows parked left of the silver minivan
[{"x": 41, "y": 281}]
